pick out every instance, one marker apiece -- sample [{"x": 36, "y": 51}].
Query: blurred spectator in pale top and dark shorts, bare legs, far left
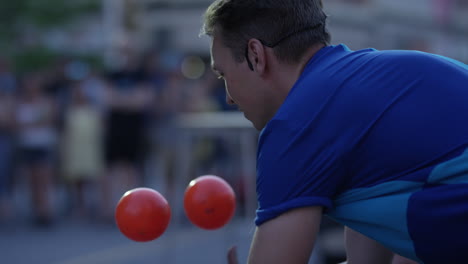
[{"x": 37, "y": 138}]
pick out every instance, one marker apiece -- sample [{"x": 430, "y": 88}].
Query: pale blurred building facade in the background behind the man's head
[{"x": 438, "y": 26}]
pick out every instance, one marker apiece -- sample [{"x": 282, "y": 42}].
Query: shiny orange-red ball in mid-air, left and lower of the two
[{"x": 142, "y": 214}]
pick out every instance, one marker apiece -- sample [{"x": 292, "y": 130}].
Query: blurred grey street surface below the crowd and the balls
[{"x": 74, "y": 239}]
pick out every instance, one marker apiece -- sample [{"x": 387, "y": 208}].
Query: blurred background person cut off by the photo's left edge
[{"x": 7, "y": 138}]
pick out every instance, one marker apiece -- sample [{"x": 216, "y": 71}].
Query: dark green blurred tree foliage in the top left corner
[{"x": 19, "y": 17}]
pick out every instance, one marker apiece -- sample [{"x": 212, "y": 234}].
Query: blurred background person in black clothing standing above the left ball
[{"x": 128, "y": 99}]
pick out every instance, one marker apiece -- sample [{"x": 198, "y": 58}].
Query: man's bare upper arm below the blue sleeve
[{"x": 288, "y": 238}]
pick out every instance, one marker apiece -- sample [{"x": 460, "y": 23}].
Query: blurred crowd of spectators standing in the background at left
[{"x": 72, "y": 127}]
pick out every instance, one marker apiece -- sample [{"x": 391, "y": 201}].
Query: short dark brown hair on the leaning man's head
[{"x": 269, "y": 21}]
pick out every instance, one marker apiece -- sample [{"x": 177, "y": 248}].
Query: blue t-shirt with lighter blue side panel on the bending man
[{"x": 380, "y": 140}]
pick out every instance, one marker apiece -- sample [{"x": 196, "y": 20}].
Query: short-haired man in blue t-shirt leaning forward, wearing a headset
[{"x": 376, "y": 140}]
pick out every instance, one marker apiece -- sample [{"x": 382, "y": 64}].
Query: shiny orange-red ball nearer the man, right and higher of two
[{"x": 209, "y": 202}]
